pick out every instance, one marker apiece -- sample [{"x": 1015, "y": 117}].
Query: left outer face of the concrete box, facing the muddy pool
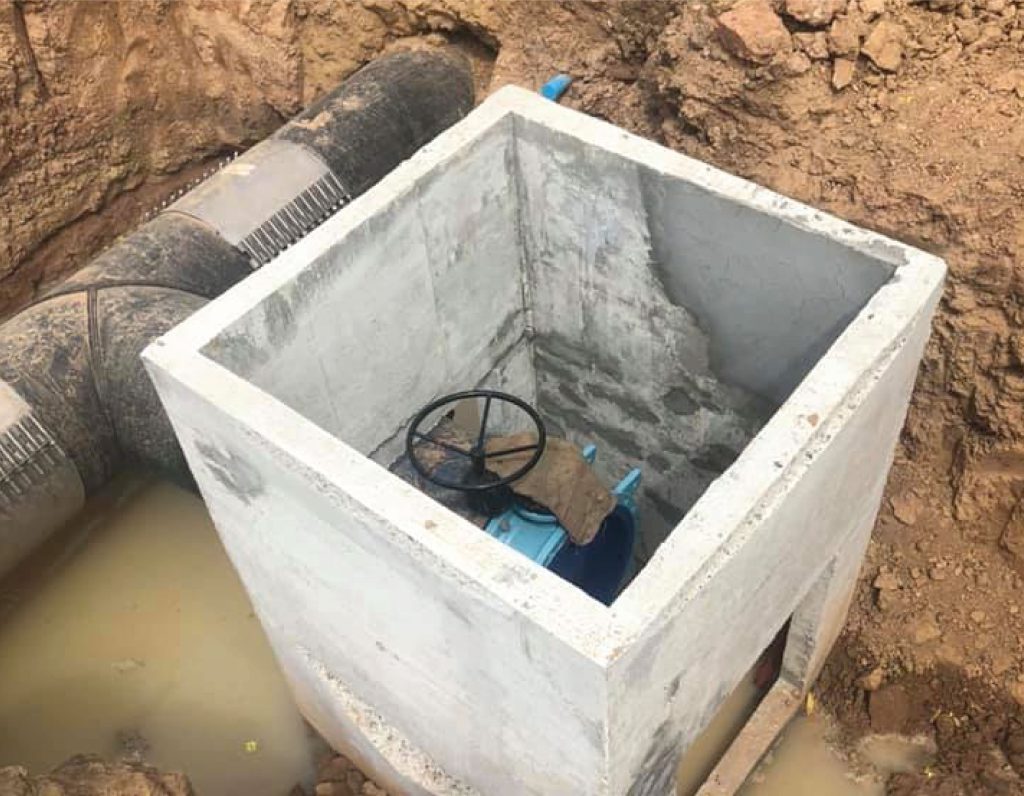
[{"x": 349, "y": 598}]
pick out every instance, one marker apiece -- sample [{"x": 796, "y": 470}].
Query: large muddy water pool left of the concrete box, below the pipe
[{"x": 133, "y": 636}]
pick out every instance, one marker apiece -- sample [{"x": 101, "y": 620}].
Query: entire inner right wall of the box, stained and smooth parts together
[{"x": 669, "y": 323}]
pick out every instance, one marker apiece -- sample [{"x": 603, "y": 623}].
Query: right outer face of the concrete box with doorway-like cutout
[{"x": 667, "y": 688}]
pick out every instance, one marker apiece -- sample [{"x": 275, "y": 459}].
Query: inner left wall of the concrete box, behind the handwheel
[{"x": 425, "y": 299}]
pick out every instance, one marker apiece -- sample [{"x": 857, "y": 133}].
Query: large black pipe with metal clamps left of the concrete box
[{"x": 76, "y": 404}]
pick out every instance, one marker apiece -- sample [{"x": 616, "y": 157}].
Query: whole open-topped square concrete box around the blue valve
[{"x": 754, "y": 356}]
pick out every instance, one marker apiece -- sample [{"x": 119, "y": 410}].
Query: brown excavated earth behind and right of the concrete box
[{"x": 904, "y": 118}]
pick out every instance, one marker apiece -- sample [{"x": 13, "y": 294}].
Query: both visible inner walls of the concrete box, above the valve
[{"x": 653, "y": 318}]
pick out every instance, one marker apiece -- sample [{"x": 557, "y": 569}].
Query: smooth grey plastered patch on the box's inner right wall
[{"x": 771, "y": 309}]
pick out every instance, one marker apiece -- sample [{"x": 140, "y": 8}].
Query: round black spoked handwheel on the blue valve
[{"x": 482, "y": 480}]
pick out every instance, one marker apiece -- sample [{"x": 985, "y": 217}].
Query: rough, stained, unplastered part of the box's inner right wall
[{"x": 619, "y": 362}]
